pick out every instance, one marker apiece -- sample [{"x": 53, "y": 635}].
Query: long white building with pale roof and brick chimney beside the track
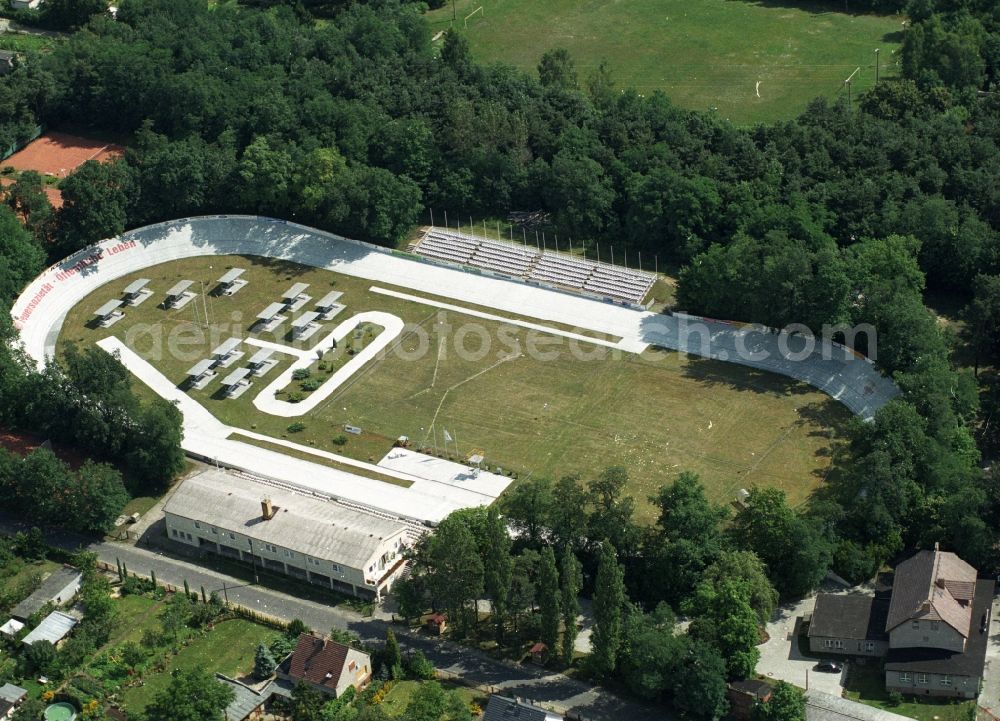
[{"x": 316, "y": 540}]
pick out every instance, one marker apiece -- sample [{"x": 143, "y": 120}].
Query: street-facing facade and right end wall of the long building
[{"x": 329, "y": 572}]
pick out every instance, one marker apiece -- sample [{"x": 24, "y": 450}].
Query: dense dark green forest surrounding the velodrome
[{"x": 356, "y": 122}]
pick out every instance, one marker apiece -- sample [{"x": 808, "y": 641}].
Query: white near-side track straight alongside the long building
[{"x": 208, "y": 437}]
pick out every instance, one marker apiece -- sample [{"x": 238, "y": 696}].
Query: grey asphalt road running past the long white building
[{"x": 557, "y": 691}]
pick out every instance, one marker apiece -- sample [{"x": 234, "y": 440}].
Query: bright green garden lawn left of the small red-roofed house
[{"x": 228, "y": 648}]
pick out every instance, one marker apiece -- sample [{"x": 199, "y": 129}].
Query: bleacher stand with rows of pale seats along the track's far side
[{"x": 524, "y": 262}]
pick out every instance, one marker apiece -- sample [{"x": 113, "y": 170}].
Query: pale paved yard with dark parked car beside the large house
[{"x": 780, "y": 657}]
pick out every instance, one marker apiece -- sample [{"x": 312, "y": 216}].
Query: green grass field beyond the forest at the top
[{"x": 703, "y": 54}]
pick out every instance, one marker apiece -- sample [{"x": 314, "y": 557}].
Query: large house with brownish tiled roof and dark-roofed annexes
[{"x": 936, "y": 625}]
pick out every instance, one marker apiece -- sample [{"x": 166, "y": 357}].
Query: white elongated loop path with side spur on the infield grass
[{"x": 265, "y": 401}]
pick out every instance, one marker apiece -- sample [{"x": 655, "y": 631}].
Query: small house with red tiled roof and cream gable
[{"x": 326, "y": 665}]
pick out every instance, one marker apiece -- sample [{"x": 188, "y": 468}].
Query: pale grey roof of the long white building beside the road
[{"x": 314, "y": 527}]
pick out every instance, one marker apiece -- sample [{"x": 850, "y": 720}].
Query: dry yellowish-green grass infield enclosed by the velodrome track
[{"x": 656, "y": 414}]
